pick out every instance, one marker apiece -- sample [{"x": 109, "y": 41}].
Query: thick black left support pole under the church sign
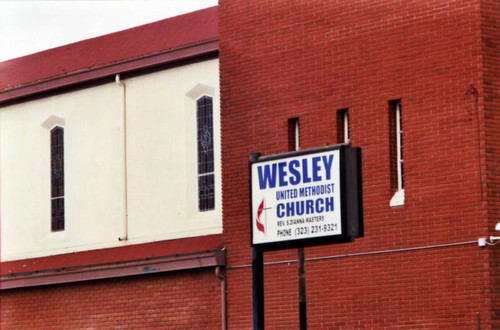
[{"x": 257, "y": 289}]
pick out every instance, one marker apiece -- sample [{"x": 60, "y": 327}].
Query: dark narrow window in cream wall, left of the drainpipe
[{"x": 57, "y": 178}]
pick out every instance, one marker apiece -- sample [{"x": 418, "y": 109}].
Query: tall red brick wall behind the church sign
[{"x": 307, "y": 59}]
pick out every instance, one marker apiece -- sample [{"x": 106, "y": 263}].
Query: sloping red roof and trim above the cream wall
[{"x": 168, "y": 40}]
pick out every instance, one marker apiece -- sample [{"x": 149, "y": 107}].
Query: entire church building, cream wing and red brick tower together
[{"x": 122, "y": 205}]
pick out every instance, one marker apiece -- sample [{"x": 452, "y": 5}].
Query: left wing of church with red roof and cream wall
[{"x": 110, "y": 173}]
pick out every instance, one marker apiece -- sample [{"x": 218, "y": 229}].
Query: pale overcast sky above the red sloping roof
[{"x": 28, "y": 27}]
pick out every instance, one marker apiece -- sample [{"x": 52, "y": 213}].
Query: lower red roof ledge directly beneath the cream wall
[{"x": 127, "y": 260}]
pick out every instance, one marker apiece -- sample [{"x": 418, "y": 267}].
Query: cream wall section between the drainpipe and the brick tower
[{"x": 162, "y": 153}]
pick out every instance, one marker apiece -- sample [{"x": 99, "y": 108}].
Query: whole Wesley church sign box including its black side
[{"x": 306, "y": 198}]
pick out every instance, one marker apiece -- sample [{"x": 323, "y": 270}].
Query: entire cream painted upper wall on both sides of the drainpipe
[{"x": 161, "y": 165}]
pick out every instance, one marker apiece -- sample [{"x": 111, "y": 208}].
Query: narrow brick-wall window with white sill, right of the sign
[{"x": 396, "y": 153}]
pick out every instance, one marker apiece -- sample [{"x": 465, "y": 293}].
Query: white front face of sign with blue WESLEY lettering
[{"x": 296, "y": 198}]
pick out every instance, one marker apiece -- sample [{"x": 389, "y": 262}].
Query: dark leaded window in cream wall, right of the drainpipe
[{"x": 206, "y": 185}]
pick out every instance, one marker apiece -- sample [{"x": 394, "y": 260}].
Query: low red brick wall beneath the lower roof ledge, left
[{"x": 177, "y": 300}]
